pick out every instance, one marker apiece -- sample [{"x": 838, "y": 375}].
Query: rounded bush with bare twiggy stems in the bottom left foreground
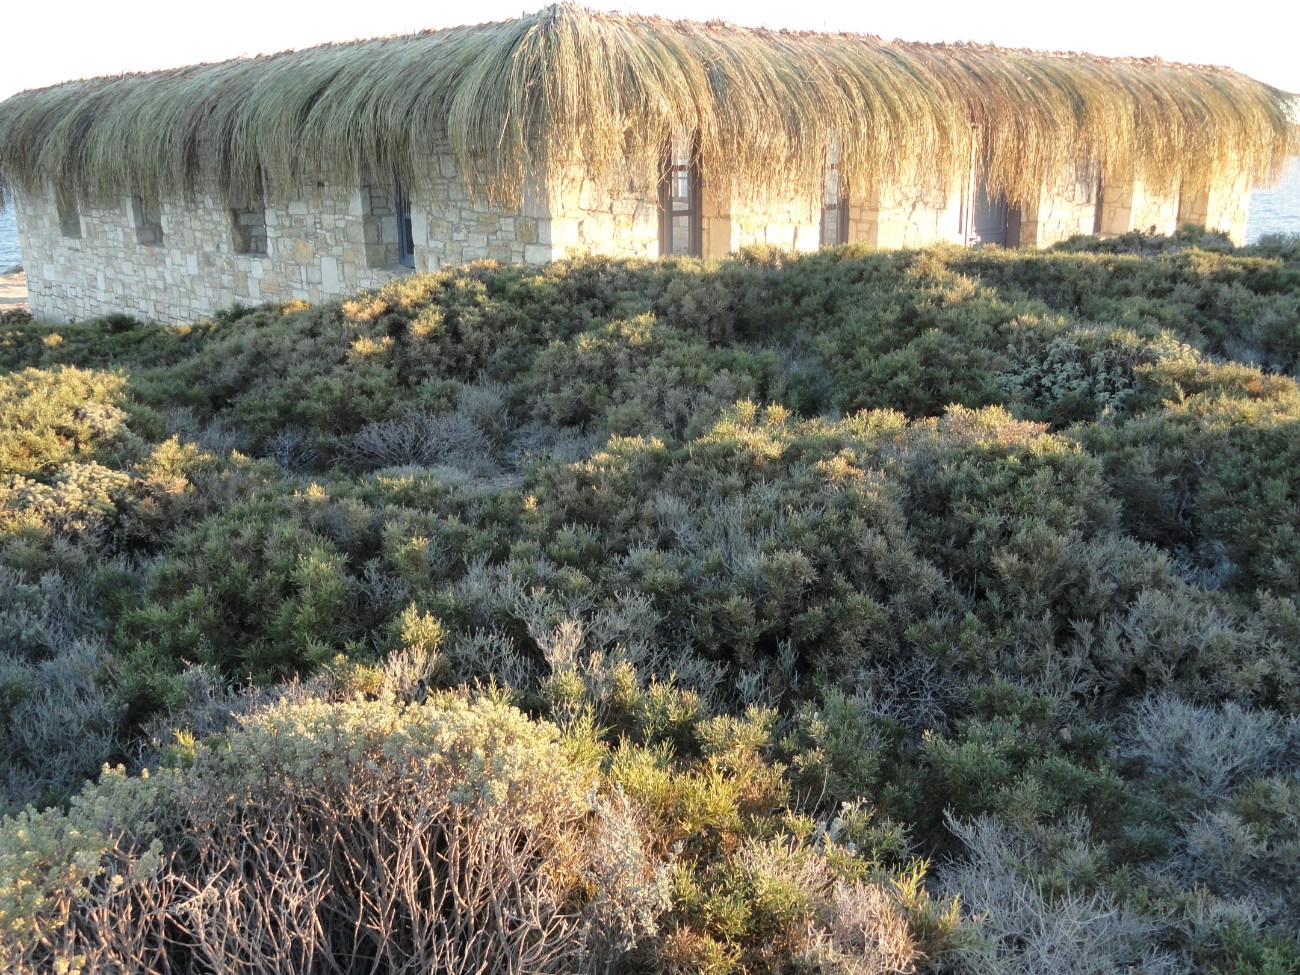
[{"x": 448, "y": 837}]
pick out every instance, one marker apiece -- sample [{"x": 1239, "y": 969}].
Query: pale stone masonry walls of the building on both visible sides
[{"x": 184, "y": 259}]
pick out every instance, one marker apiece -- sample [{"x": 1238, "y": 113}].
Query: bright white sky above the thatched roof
[{"x": 45, "y": 42}]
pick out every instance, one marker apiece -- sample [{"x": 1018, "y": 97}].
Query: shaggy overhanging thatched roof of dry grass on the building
[{"x": 570, "y": 84}]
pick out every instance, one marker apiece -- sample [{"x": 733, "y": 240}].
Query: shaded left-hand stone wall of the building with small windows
[{"x": 183, "y": 259}]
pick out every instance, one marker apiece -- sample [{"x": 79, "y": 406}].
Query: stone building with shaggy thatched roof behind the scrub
[{"x": 311, "y": 175}]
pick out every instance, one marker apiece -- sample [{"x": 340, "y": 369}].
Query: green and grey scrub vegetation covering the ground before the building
[{"x": 928, "y": 612}]
